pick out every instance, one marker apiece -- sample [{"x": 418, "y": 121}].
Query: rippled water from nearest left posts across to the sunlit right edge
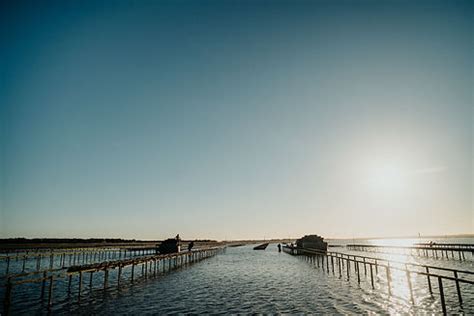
[{"x": 241, "y": 280}]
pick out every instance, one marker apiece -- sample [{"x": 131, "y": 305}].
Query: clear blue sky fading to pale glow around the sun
[{"x": 236, "y": 119}]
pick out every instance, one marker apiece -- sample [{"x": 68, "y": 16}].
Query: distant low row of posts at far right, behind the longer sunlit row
[{"x": 427, "y": 251}]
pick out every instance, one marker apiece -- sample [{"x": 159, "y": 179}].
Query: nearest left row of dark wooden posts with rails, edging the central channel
[{"x": 151, "y": 266}]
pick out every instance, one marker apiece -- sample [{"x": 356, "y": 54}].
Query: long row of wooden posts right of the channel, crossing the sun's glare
[{"x": 341, "y": 260}]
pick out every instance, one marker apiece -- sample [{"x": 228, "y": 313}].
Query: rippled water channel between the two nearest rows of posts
[{"x": 240, "y": 280}]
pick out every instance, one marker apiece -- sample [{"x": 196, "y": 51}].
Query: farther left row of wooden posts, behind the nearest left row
[{"x": 70, "y": 258}]
